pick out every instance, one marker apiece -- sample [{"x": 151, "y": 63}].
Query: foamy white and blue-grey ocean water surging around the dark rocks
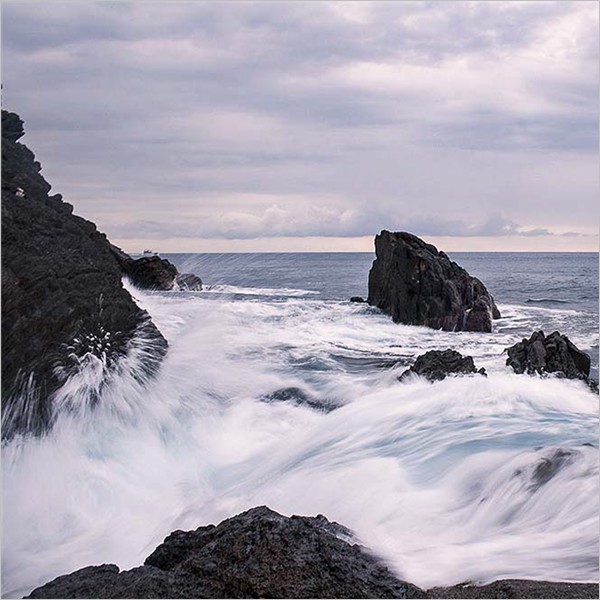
[{"x": 468, "y": 479}]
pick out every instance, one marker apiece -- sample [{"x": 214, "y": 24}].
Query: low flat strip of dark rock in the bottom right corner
[{"x": 517, "y": 588}]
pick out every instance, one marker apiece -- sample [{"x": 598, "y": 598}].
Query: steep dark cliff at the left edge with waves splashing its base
[{"x": 62, "y": 298}]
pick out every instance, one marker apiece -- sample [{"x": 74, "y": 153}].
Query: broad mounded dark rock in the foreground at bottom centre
[{"x": 256, "y": 554}]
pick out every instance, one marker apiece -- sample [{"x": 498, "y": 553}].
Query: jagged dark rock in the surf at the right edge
[{"x": 552, "y": 354}]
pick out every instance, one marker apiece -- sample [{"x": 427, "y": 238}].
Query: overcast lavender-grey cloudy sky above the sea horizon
[{"x": 255, "y": 126}]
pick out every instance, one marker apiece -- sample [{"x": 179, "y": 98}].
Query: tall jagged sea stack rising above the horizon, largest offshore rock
[{"x": 417, "y": 285}]
